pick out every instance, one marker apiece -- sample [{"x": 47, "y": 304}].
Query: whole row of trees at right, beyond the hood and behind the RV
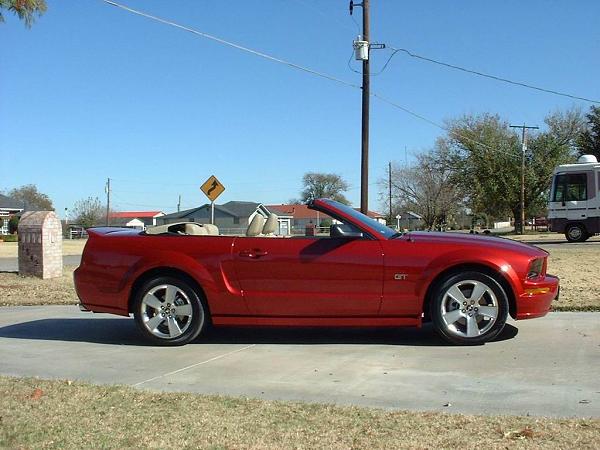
[{"x": 476, "y": 167}]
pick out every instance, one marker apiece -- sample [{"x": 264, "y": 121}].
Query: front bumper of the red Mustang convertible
[{"x": 537, "y": 297}]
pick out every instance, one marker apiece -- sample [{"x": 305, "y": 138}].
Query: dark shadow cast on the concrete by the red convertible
[{"x": 124, "y": 332}]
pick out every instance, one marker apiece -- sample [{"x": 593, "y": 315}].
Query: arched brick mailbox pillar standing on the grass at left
[{"x": 40, "y": 244}]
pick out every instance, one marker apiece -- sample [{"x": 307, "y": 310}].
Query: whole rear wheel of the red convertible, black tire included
[{"x": 172, "y": 321}]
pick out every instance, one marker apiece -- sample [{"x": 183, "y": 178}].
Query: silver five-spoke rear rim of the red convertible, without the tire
[{"x": 166, "y": 311}]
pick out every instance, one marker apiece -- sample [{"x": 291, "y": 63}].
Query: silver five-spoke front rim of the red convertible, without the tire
[{"x": 469, "y": 308}]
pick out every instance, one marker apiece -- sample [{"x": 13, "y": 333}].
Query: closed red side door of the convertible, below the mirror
[{"x": 310, "y": 276}]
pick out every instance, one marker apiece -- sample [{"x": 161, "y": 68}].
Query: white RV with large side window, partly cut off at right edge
[{"x": 574, "y": 203}]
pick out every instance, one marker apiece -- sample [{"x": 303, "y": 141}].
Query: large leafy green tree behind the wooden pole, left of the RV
[{"x": 485, "y": 156}]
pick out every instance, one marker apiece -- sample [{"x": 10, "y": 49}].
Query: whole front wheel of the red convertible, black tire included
[{"x": 462, "y": 307}]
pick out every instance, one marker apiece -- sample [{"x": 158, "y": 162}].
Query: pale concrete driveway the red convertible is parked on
[{"x": 545, "y": 367}]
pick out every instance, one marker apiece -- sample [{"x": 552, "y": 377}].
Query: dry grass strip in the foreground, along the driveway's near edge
[{"x": 44, "y": 414}]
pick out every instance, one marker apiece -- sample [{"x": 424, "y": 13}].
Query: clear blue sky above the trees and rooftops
[{"x": 91, "y": 92}]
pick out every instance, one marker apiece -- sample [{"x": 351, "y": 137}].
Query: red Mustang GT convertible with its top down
[{"x": 177, "y": 279}]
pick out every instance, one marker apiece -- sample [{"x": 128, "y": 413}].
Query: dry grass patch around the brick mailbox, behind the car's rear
[{"x": 26, "y": 291}]
